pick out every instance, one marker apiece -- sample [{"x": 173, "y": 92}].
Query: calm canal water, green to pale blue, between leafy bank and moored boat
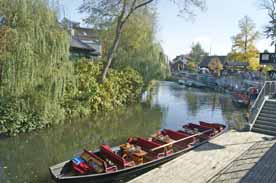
[{"x": 26, "y": 158}]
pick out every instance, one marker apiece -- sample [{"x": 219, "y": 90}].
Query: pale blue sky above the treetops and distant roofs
[{"x": 213, "y": 28}]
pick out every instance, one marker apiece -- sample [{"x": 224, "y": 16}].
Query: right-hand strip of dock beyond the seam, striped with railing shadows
[{"x": 257, "y": 164}]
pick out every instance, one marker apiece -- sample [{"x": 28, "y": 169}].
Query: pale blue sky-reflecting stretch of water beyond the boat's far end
[{"x": 181, "y": 105}]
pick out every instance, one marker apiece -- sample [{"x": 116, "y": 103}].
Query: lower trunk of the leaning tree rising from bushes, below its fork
[{"x": 112, "y": 50}]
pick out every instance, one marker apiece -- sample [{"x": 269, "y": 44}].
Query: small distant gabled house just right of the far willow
[{"x": 179, "y": 63}]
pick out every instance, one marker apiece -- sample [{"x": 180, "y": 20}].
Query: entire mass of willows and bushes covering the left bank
[{"x": 39, "y": 86}]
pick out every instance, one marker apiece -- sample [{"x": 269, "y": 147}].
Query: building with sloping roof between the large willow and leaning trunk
[{"x": 84, "y": 41}]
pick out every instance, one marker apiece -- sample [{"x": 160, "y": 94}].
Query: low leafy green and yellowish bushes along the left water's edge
[{"x": 84, "y": 96}]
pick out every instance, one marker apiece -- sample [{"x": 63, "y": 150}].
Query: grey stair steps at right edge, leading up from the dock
[{"x": 266, "y": 121}]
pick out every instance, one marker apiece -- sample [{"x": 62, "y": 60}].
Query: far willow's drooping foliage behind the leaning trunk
[{"x": 139, "y": 48}]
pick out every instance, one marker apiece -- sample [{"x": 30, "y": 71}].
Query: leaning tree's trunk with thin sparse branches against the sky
[{"x": 106, "y": 12}]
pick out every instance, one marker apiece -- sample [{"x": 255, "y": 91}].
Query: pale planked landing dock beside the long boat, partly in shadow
[{"x": 232, "y": 157}]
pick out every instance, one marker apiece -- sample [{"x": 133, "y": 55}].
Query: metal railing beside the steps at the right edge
[{"x": 268, "y": 90}]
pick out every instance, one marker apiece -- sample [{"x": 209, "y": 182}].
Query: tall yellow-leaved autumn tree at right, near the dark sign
[{"x": 244, "y": 48}]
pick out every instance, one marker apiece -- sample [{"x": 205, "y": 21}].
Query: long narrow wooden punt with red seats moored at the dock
[{"x": 135, "y": 157}]
